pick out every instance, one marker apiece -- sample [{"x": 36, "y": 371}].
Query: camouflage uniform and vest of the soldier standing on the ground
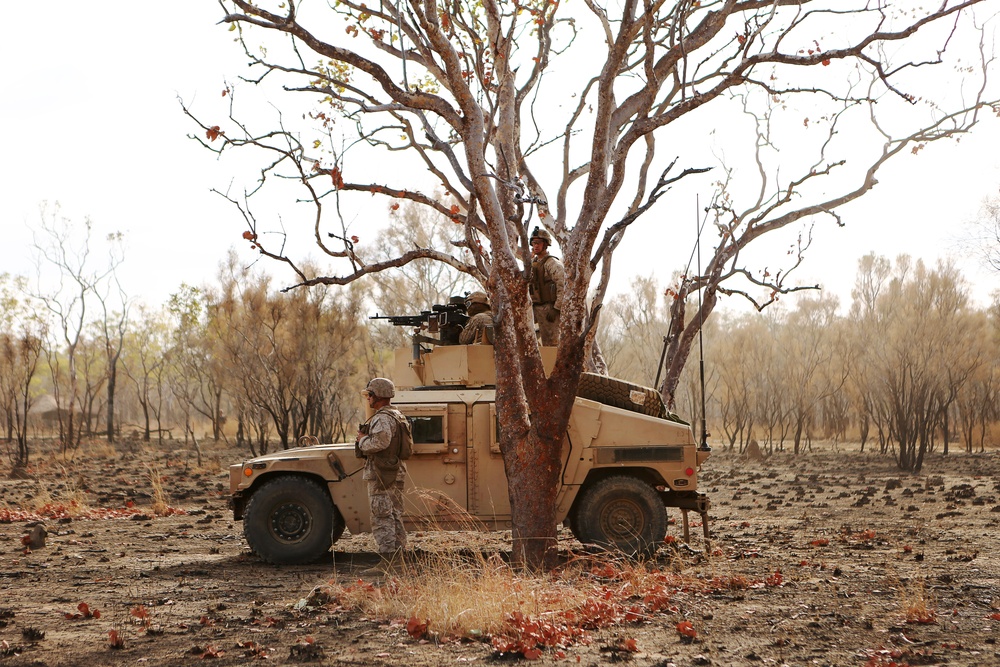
[{"x": 385, "y": 474}]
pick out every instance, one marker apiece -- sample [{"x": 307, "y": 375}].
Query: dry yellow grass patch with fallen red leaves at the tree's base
[{"x": 468, "y": 593}]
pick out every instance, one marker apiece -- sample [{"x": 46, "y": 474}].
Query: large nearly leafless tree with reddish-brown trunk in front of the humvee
[{"x": 459, "y": 89}]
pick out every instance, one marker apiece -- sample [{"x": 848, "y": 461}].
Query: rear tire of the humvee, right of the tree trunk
[{"x": 622, "y": 513}]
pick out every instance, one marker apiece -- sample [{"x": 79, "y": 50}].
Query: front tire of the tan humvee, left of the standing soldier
[{"x": 290, "y": 521}]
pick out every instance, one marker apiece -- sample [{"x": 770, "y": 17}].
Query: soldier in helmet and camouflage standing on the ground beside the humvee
[{"x": 380, "y": 442}]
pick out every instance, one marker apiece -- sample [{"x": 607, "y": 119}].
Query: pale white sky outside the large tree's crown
[{"x": 88, "y": 105}]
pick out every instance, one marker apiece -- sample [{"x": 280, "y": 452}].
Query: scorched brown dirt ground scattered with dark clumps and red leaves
[{"x": 845, "y": 561}]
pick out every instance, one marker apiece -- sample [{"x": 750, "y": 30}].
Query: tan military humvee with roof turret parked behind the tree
[{"x": 625, "y": 460}]
